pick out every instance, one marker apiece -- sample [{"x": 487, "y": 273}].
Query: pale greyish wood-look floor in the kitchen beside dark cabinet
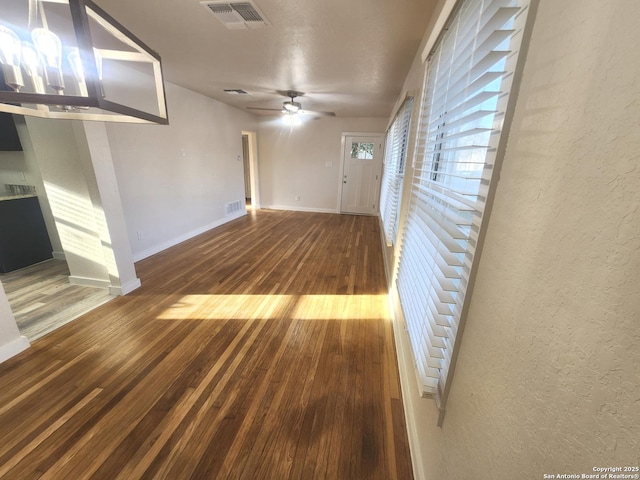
[{"x": 42, "y": 299}]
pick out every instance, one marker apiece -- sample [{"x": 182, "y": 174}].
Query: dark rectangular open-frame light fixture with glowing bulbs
[{"x": 68, "y": 59}]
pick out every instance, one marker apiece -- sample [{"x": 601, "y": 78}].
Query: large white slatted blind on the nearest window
[{"x": 465, "y": 96}]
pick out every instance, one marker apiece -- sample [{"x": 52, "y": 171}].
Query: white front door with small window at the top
[{"x": 362, "y": 160}]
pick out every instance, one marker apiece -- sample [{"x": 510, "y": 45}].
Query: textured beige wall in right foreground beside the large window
[{"x": 548, "y": 378}]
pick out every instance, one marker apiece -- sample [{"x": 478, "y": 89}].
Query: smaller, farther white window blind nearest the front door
[{"x": 395, "y": 156}]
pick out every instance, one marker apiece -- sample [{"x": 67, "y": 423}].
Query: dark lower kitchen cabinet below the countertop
[{"x": 23, "y": 235}]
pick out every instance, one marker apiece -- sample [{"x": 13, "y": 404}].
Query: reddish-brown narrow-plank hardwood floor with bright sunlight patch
[{"x": 260, "y": 350}]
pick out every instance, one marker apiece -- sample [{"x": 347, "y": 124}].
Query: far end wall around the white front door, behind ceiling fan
[{"x": 293, "y": 161}]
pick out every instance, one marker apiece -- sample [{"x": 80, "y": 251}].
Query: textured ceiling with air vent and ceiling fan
[{"x": 347, "y": 56}]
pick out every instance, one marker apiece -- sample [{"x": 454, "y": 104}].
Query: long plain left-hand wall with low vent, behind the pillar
[{"x": 175, "y": 180}]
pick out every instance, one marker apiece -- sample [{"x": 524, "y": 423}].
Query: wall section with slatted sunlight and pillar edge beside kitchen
[{"x": 76, "y": 173}]
